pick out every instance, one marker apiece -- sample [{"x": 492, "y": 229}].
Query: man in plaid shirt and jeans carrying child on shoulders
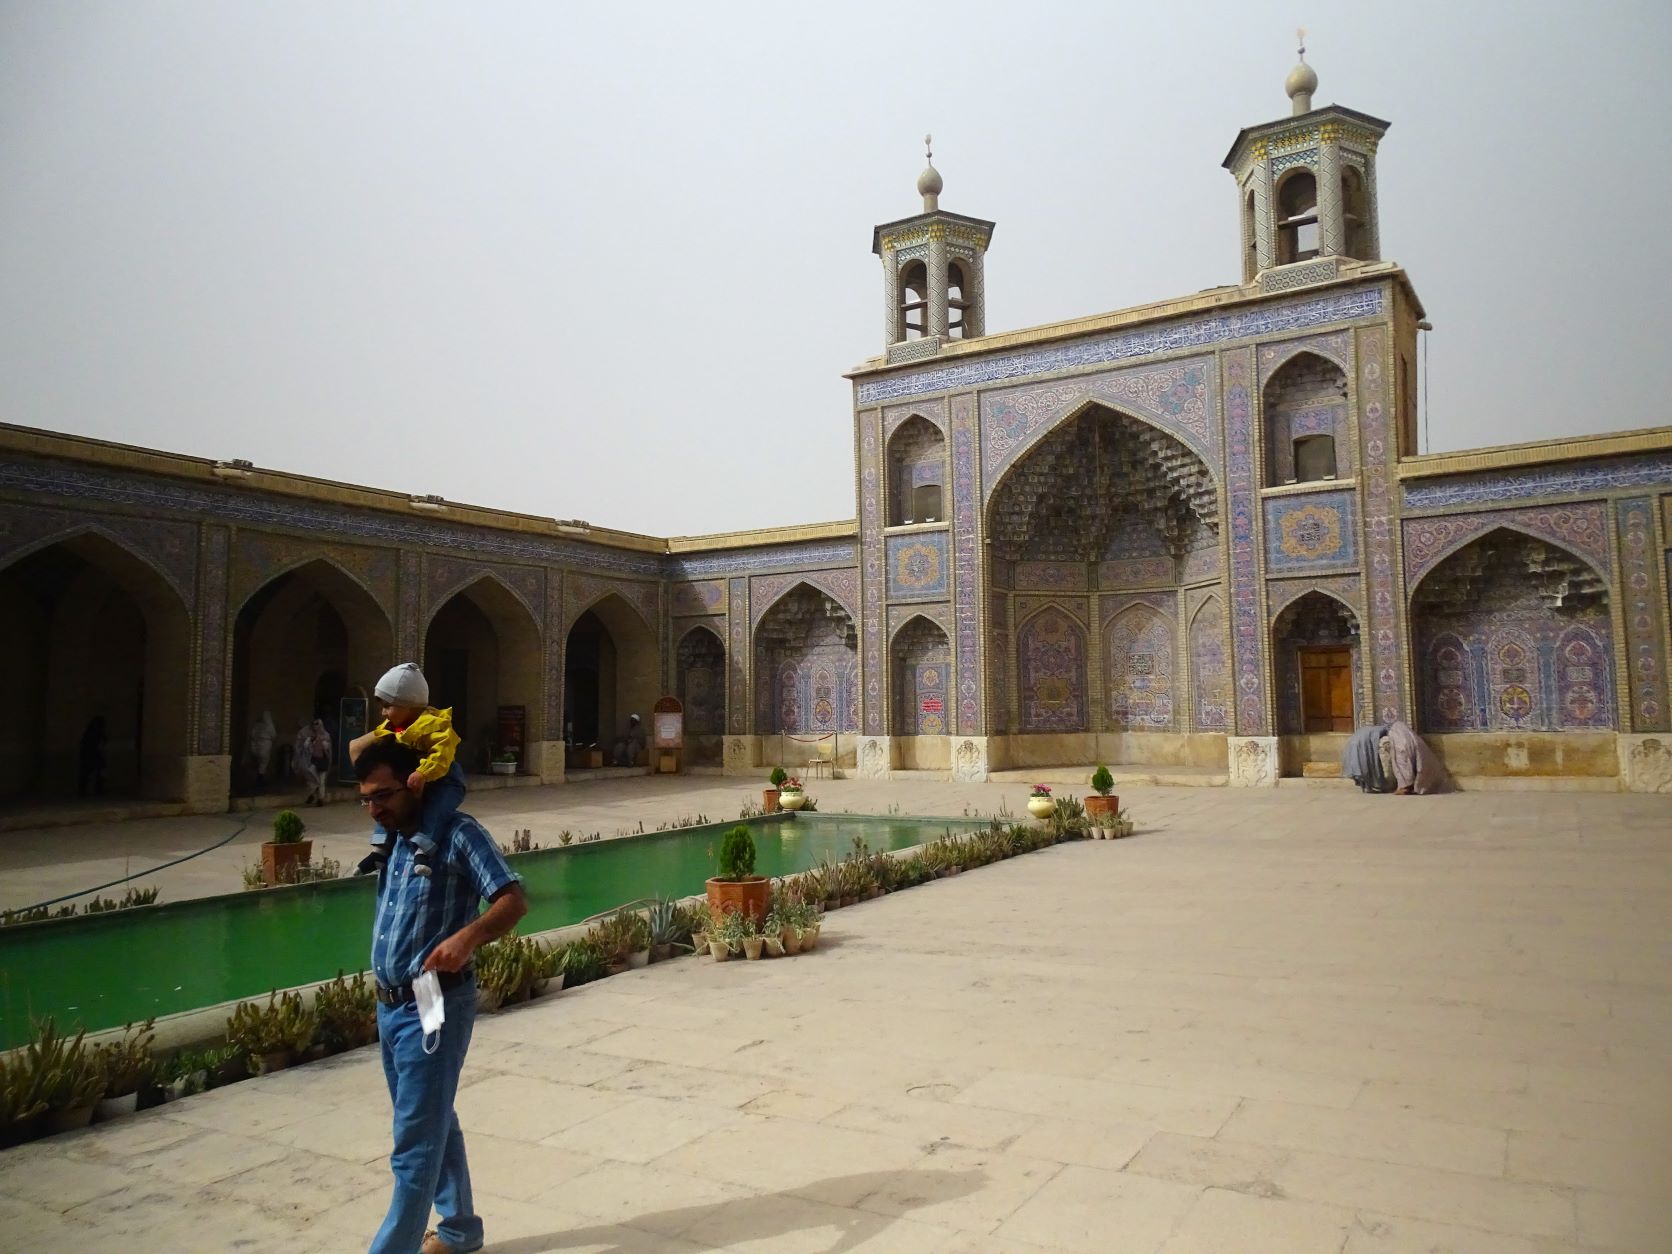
[{"x": 429, "y": 924}]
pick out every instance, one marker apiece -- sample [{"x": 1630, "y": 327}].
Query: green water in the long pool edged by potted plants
[{"x": 108, "y": 971}]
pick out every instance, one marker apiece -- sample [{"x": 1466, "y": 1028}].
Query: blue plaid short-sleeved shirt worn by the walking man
[{"x": 417, "y": 914}]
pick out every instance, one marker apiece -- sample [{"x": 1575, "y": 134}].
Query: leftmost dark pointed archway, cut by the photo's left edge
[{"x": 98, "y": 670}]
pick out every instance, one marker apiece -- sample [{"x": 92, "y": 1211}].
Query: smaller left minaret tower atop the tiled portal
[{"x": 934, "y": 283}]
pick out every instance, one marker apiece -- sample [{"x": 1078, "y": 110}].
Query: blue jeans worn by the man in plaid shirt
[{"x": 429, "y": 1158}]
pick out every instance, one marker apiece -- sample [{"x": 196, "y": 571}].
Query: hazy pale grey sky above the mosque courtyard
[{"x": 609, "y": 262}]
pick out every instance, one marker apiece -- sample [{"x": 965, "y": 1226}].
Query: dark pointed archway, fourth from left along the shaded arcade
[{"x": 611, "y": 673}]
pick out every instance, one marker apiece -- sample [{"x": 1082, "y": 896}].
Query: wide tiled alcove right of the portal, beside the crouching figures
[{"x": 1514, "y": 635}]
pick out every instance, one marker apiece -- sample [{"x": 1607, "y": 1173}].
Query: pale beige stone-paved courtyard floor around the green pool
[{"x": 1290, "y": 1022}]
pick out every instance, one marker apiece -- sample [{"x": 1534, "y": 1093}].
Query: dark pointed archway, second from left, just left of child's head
[{"x": 302, "y": 643}]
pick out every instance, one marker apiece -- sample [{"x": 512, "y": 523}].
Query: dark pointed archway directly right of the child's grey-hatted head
[{"x": 482, "y": 656}]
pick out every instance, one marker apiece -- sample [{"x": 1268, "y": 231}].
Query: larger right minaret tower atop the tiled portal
[{"x": 1307, "y": 190}]
